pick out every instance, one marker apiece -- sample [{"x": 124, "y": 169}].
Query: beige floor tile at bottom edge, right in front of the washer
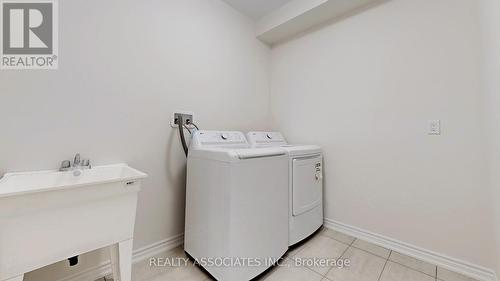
[{"x": 289, "y": 272}]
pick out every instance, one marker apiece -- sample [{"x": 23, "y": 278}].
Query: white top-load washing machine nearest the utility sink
[{"x": 236, "y": 223}]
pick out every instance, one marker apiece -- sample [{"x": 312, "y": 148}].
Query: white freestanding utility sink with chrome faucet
[{"x": 49, "y": 216}]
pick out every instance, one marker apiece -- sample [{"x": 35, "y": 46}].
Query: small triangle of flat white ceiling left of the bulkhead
[{"x": 256, "y": 8}]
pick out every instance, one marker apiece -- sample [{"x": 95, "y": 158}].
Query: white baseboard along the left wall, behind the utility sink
[{"x": 139, "y": 255}]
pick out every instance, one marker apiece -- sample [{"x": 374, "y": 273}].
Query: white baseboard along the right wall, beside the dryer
[{"x": 474, "y": 271}]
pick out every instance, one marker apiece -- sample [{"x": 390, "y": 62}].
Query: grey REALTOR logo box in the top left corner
[{"x": 29, "y": 34}]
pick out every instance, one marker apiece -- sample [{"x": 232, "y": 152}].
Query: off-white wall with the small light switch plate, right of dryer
[{"x": 363, "y": 89}]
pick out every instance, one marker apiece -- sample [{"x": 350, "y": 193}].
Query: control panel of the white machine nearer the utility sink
[{"x": 222, "y": 139}]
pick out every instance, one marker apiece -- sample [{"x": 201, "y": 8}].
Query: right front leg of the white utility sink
[{"x": 121, "y": 260}]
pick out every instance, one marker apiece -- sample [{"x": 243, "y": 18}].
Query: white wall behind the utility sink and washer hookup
[{"x": 124, "y": 67}]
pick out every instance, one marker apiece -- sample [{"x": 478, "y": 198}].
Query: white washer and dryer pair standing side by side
[{"x": 248, "y": 199}]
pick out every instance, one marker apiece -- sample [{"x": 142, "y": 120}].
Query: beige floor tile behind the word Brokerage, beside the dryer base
[{"x": 321, "y": 247}]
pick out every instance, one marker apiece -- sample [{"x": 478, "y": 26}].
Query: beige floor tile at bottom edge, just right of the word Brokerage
[{"x": 363, "y": 267}]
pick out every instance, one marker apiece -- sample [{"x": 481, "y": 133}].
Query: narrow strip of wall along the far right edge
[{"x": 490, "y": 27}]
